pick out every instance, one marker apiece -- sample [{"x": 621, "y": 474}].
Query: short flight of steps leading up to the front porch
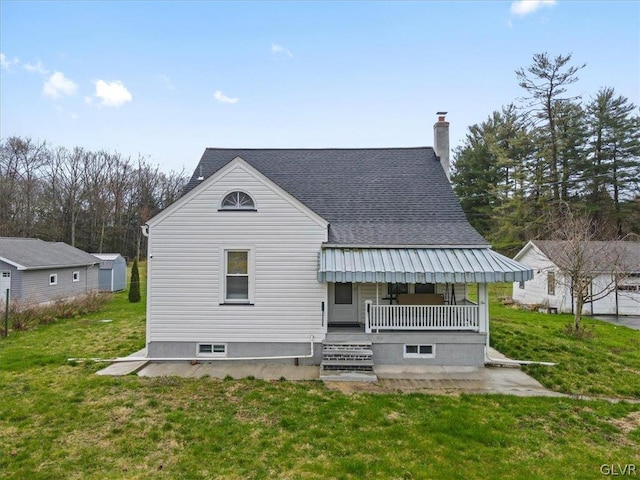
[{"x": 347, "y": 361}]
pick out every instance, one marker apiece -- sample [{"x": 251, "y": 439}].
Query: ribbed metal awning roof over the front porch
[{"x": 418, "y": 265}]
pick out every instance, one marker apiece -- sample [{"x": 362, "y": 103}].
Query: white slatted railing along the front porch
[{"x": 421, "y": 317}]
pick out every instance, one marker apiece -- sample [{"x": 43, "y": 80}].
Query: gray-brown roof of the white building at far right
[{"x": 599, "y": 256}]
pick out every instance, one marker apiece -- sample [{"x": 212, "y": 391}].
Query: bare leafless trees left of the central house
[{"x": 95, "y": 201}]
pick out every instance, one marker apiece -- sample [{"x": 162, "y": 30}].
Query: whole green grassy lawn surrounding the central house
[{"x": 59, "y": 420}]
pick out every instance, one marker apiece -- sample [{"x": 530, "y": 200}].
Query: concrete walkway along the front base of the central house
[{"x": 391, "y": 378}]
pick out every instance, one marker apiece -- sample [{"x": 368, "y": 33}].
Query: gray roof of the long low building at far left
[{"x": 35, "y": 254}]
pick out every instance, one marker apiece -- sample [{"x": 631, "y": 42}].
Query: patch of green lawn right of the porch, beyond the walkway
[{"x": 606, "y": 365}]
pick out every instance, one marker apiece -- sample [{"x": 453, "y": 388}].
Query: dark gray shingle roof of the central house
[{"x": 370, "y": 196}]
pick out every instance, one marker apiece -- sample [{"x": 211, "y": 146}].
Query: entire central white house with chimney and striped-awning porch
[{"x": 346, "y": 257}]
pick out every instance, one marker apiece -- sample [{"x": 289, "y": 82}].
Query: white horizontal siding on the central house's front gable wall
[{"x": 186, "y": 266}]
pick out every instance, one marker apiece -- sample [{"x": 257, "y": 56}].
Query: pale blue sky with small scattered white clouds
[{"x": 168, "y": 79}]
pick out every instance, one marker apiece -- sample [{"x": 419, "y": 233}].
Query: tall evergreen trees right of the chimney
[{"x": 547, "y": 151}]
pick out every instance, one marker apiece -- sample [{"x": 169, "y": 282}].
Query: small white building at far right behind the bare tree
[{"x": 618, "y": 279}]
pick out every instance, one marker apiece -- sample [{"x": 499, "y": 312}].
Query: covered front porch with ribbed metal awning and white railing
[{"x": 413, "y": 289}]
